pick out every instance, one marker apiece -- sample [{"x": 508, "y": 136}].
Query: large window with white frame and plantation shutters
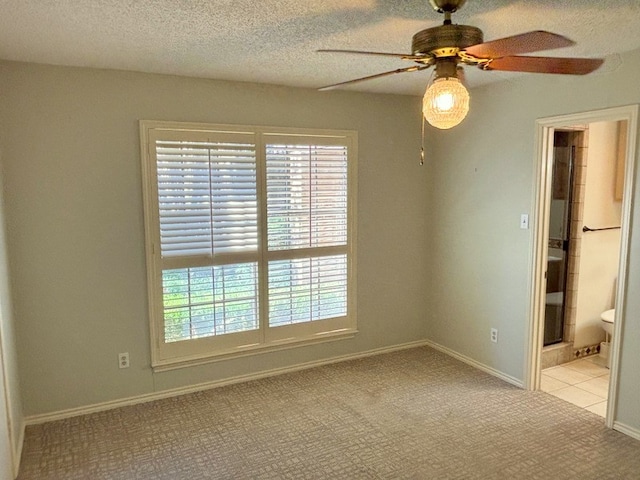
[{"x": 250, "y": 238}]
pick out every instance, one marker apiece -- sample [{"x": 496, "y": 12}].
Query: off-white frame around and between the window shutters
[{"x": 166, "y": 356}]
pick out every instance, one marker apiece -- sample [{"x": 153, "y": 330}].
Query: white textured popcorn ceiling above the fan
[{"x": 275, "y": 41}]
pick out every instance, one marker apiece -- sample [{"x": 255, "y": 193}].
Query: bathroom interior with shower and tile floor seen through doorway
[{"x": 583, "y": 261}]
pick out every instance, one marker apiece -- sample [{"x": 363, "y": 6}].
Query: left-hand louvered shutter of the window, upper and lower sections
[{"x": 207, "y": 210}]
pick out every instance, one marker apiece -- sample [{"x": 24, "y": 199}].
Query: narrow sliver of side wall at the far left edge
[{"x": 11, "y": 422}]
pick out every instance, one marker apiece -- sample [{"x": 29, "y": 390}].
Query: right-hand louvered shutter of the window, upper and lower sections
[{"x": 307, "y": 209}]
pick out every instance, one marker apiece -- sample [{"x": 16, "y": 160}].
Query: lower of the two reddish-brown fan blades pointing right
[{"x": 567, "y": 66}]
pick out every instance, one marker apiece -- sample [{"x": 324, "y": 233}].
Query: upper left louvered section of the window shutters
[{"x": 207, "y": 197}]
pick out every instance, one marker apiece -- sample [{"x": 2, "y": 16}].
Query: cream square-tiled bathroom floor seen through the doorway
[{"x": 583, "y": 382}]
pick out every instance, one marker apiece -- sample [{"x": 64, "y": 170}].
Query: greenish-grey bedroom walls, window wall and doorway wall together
[{"x": 441, "y": 252}]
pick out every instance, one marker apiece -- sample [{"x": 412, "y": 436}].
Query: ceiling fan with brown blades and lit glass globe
[{"x": 446, "y": 100}]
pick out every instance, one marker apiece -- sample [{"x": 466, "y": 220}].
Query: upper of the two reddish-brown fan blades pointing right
[{"x": 535, "y": 41}]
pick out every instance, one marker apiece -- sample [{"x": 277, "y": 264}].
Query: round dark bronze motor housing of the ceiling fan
[{"x": 445, "y": 40}]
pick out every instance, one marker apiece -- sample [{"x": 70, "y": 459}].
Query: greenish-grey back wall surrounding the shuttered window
[{"x": 74, "y": 211}]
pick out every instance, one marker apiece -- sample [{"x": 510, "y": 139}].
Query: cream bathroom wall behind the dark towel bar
[{"x": 599, "y": 251}]
